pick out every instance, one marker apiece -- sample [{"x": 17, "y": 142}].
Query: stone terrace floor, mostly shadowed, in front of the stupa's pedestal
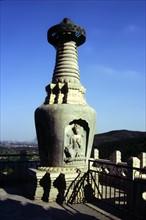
[{"x": 15, "y": 206}]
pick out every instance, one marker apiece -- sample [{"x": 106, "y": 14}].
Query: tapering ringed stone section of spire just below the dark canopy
[{"x": 66, "y": 66}]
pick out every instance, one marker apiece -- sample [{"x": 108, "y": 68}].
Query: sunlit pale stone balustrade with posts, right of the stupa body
[{"x": 124, "y": 169}]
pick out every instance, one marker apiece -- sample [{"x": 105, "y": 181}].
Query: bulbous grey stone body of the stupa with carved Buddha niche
[{"x": 55, "y": 126}]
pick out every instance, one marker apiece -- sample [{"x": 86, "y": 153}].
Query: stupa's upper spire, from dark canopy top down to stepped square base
[{"x": 66, "y": 86}]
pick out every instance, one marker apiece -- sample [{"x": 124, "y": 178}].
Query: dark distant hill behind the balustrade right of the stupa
[{"x": 130, "y": 143}]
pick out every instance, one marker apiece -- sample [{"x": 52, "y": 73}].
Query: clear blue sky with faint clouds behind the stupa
[{"x": 111, "y": 62}]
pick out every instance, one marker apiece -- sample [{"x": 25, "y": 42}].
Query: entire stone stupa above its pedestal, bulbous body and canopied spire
[{"x": 65, "y": 123}]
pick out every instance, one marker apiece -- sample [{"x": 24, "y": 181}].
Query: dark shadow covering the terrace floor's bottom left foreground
[{"x": 12, "y": 209}]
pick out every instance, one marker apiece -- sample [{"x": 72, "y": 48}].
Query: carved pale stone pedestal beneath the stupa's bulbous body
[{"x": 49, "y": 193}]
